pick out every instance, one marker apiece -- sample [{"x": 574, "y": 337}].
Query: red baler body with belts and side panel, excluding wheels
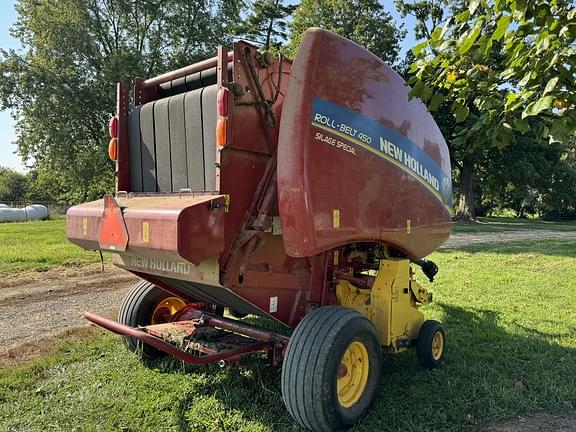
[{"x": 320, "y": 153}]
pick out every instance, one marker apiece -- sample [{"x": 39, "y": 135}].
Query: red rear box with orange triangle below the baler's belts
[{"x": 153, "y": 224}]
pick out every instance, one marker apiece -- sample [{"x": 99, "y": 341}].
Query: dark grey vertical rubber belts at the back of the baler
[{"x": 172, "y": 143}]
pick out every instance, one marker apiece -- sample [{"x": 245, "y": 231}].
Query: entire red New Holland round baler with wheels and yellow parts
[{"x": 303, "y": 192}]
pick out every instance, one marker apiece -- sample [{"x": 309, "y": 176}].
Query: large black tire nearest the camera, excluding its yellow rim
[{"x": 312, "y": 364}]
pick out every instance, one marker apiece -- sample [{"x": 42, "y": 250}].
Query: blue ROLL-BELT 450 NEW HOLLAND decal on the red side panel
[{"x": 380, "y": 140}]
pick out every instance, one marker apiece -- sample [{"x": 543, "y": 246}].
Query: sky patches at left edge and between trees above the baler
[{"x": 7, "y": 133}]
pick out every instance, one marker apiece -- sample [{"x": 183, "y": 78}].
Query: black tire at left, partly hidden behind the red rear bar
[{"x": 136, "y": 311}]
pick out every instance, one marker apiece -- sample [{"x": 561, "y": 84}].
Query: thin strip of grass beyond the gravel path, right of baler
[{"x": 495, "y": 224}]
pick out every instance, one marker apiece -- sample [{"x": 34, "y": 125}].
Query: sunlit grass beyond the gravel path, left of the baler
[{"x": 39, "y": 245}]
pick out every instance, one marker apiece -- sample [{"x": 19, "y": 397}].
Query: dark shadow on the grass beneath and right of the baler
[{"x": 490, "y": 373}]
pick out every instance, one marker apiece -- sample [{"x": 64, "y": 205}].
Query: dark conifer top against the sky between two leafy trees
[{"x": 266, "y": 24}]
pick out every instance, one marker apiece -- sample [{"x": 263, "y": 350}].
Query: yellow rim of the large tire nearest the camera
[{"x": 353, "y": 374}]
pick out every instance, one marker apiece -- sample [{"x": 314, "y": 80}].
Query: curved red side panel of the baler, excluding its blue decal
[{"x": 375, "y": 198}]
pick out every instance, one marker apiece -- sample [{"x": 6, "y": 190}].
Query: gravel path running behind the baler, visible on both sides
[{"x": 37, "y": 305}]
